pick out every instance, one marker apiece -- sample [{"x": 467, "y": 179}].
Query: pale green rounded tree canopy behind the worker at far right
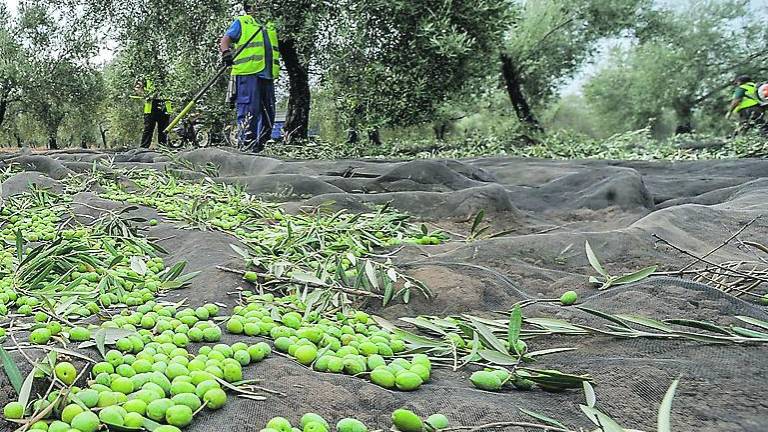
[{"x": 683, "y": 66}]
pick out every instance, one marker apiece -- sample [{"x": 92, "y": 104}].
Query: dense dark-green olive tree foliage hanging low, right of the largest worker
[{"x": 393, "y": 64}]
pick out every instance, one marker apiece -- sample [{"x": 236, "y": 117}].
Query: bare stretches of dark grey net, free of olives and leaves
[{"x": 549, "y": 209}]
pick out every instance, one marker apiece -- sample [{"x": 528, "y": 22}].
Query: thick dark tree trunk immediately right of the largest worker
[{"x": 297, "y": 119}]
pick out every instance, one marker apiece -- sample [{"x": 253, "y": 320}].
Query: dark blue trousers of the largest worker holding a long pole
[{"x": 255, "y": 111}]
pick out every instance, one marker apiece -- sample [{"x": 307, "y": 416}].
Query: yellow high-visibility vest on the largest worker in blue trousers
[{"x": 253, "y": 60}]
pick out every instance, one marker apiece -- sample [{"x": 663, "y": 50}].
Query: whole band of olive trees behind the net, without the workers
[{"x": 398, "y": 73}]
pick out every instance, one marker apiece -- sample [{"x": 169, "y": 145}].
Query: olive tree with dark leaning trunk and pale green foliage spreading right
[{"x": 552, "y": 39}]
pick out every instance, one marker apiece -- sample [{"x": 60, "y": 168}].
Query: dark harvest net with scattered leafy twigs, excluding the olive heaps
[{"x": 482, "y": 236}]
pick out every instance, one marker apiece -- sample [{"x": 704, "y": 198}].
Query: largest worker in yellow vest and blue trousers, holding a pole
[{"x": 254, "y": 72}]
